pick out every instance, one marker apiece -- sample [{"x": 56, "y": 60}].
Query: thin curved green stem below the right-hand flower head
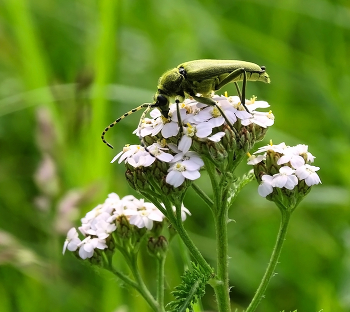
[{"x": 273, "y": 261}]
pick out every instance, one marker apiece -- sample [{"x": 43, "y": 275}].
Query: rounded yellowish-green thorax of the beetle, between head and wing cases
[{"x": 170, "y": 83}]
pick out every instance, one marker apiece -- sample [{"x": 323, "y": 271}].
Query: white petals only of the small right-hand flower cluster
[{"x": 289, "y": 175}]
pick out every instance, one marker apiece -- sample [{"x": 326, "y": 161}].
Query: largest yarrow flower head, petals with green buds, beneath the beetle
[{"x": 198, "y": 130}]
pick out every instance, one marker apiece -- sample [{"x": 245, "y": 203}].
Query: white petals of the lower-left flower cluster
[{"x": 99, "y": 223}]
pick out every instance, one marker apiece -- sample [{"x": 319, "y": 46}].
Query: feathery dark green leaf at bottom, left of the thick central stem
[{"x": 191, "y": 289}]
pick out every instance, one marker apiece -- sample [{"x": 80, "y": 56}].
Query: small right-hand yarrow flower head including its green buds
[{"x": 284, "y": 167}]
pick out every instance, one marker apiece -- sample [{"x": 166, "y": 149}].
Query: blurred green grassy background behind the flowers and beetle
[{"x": 70, "y": 67}]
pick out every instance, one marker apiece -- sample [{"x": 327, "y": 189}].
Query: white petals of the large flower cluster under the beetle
[{"x": 200, "y": 122}]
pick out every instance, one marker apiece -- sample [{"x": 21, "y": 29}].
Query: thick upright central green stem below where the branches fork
[{"x": 222, "y": 286}]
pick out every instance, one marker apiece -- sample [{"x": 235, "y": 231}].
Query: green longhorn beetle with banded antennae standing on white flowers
[{"x": 200, "y": 76}]
